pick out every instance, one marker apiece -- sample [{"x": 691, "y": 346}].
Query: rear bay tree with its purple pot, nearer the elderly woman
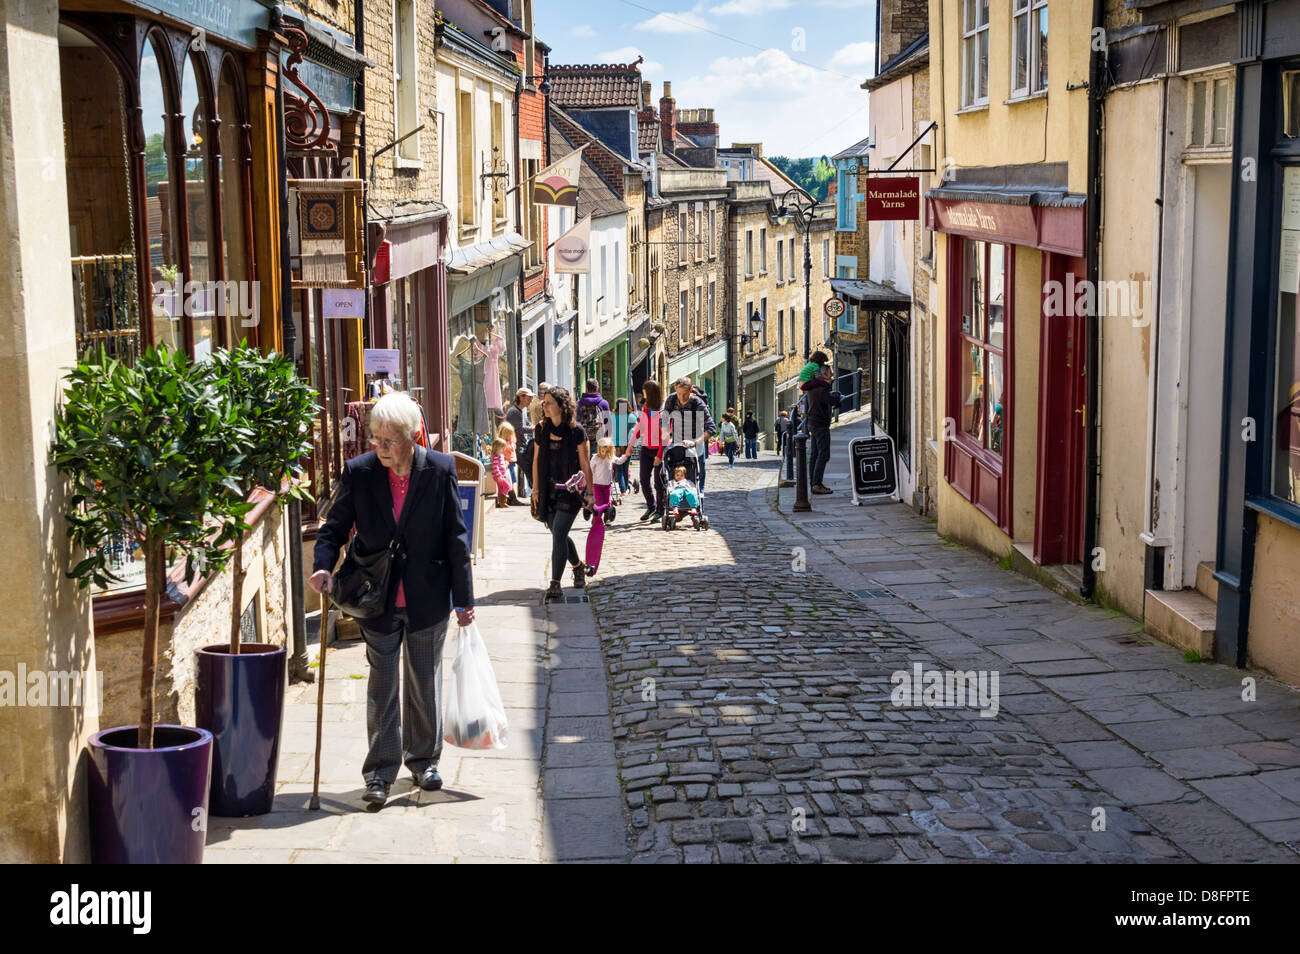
[{"x": 241, "y": 686}]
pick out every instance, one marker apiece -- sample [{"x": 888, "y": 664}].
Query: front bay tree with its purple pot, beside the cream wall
[{"x": 154, "y": 448}]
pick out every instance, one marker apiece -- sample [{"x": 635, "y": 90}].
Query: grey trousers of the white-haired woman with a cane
[{"x": 418, "y": 739}]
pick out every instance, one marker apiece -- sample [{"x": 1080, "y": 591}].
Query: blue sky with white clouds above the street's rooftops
[{"x": 781, "y": 72}]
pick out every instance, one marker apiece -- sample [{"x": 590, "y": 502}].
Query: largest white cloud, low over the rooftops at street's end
[{"x": 792, "y": 109}]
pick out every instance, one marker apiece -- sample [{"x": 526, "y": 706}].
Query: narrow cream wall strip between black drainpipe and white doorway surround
[{"x": 1128, "y": 255}]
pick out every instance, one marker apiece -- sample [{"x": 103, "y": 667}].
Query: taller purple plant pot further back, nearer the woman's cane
[{"x": 241, "y": 701}]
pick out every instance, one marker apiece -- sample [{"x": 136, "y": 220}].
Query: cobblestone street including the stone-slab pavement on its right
[{"x": 753, "y": 718}]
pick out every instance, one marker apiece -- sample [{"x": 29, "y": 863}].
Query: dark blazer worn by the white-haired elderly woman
[{"x": 436, "y": 574}]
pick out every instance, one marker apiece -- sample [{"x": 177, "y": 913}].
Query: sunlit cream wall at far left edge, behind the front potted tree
[{"x": 46, "y": 625}]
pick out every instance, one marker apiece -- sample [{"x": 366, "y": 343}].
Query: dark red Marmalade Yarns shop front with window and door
[{"x": 1013, "y": 469}]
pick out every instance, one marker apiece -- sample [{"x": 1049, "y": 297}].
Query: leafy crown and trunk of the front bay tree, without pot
[{"x": 155, "y": 448}]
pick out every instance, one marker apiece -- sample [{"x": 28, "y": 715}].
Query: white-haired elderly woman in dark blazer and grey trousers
[{"x": 375, "y": 492}]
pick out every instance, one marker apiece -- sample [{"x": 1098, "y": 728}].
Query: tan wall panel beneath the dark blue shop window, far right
[{"x": 1275, "y": 636}]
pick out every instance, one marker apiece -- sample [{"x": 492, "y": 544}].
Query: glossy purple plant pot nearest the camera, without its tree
[{"x": 150, "y": 806}]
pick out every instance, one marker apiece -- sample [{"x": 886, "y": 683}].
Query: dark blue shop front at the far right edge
[{"x": 1259, "y": 521}]
